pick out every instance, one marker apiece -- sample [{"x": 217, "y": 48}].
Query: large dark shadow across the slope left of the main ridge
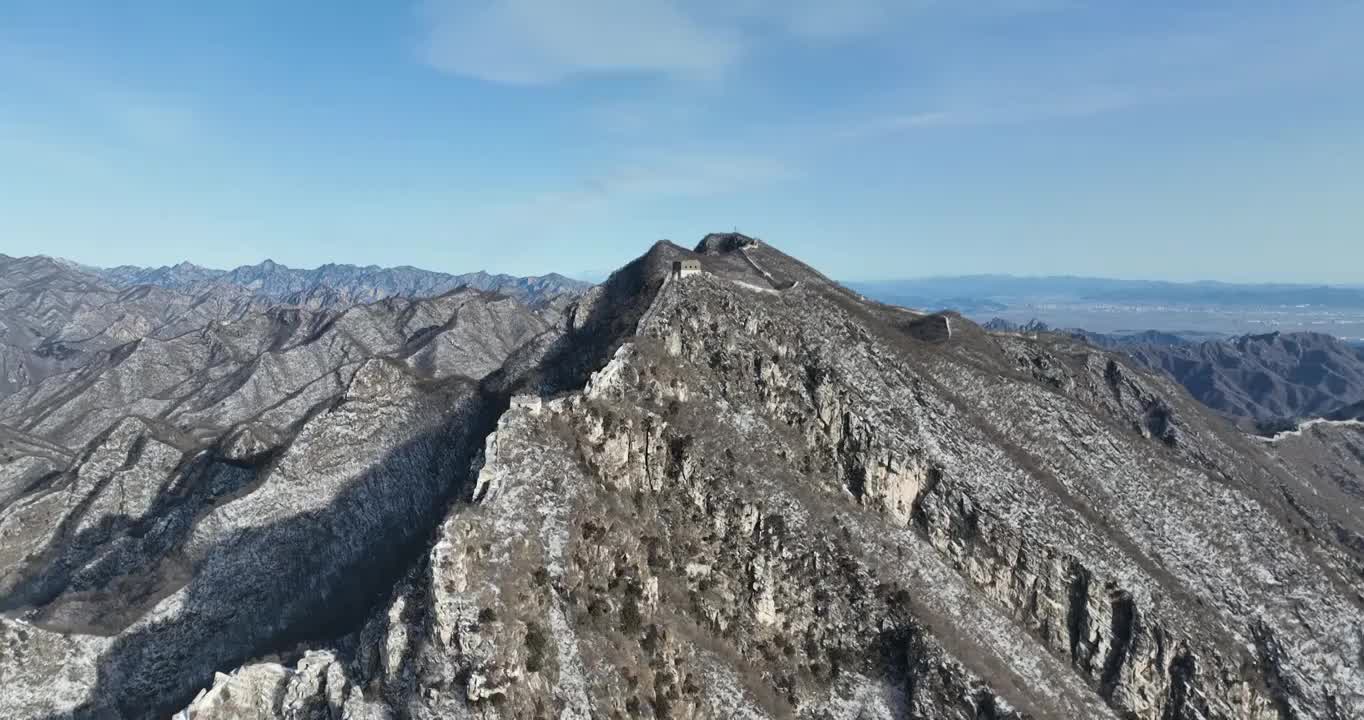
[{"x": 312, "y": 577}]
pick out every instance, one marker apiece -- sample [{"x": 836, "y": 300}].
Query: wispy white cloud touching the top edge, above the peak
[{"x": 545, "y": 42}]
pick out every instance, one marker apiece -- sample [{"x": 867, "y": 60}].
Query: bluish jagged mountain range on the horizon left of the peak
[{"x": 338, "y": 286}]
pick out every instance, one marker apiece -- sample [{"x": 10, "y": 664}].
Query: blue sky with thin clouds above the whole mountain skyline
[{"x": 874, "y": 138}]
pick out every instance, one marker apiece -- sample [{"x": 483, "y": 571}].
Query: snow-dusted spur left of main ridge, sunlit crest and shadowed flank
[{"x": 228, "y": 583}]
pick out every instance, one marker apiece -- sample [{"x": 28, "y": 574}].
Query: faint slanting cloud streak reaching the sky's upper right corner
[{"x": 1200, "y": 57}]
